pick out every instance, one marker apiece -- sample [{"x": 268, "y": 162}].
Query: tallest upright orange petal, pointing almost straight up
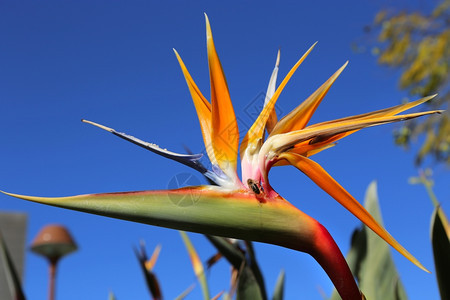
[{"x": 225, "y": 133}]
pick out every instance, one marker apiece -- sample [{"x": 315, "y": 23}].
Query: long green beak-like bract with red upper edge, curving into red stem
[{"x": 230, "y": 214}]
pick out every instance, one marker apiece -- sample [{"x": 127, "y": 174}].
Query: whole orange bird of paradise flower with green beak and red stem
[{"x": 249, "y": 208}]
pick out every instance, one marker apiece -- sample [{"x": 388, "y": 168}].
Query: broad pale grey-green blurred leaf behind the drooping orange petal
[{"x": 370, "y": 258}]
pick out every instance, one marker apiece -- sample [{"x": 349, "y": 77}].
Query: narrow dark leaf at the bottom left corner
[{"x": 15, "y": 287}]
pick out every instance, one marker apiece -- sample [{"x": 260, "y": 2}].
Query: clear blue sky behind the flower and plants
[{"x": 112, "y": 62}]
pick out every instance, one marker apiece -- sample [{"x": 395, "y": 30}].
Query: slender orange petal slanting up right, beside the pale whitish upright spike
[{"x": 256, "y": 132}]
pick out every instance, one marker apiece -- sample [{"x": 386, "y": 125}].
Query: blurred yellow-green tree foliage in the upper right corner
[{"x": 417, "y": 44}]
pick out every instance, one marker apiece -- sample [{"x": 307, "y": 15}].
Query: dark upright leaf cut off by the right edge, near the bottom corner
[{"x": 441, "y": 252}]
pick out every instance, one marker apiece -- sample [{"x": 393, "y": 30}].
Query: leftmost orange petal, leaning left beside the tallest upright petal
[{"x": 203, "y": 108}]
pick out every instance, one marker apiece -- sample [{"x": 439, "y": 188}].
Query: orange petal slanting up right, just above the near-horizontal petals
[{"x": 300, "y": 116}]
